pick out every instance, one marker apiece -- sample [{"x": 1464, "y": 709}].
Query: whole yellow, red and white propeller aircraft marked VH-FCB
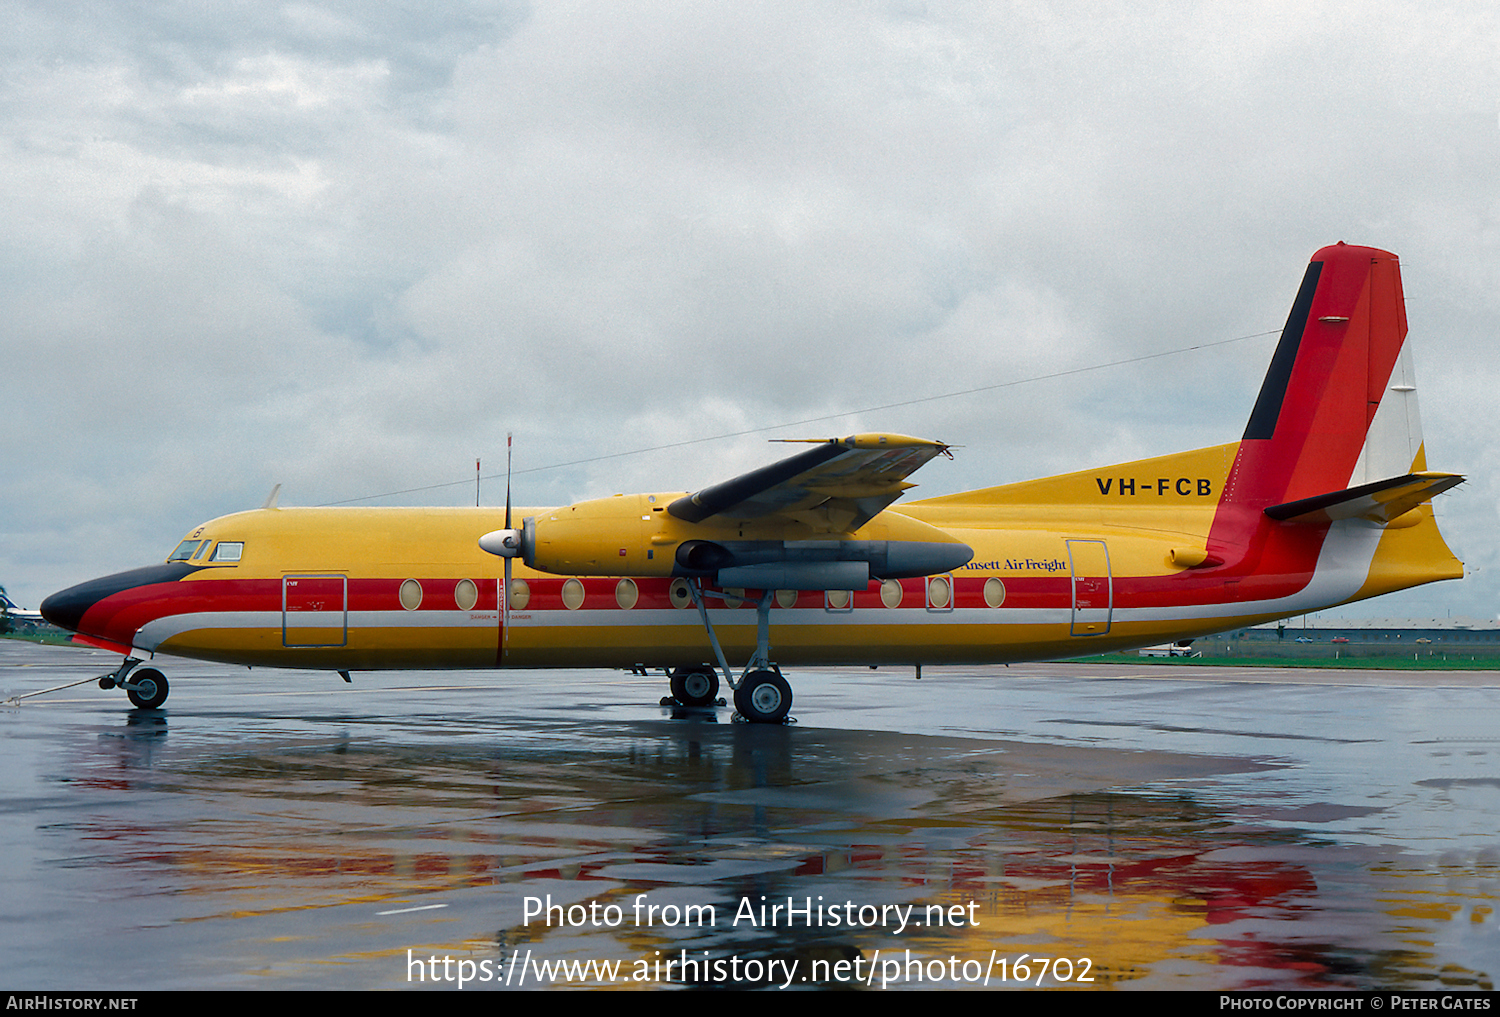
[{"x": 1325, "y": 500}]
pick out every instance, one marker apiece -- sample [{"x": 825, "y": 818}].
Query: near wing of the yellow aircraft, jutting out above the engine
[{"x": 836, "y": 487}]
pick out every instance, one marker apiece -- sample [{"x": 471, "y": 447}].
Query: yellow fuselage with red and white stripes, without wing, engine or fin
[{"x": 1067, "y": 566}]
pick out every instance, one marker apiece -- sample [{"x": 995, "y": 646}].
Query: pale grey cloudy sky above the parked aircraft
[{"x": 349, "y": 247}]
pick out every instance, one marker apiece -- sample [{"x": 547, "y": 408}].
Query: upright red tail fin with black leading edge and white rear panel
[{"x": 1339, "y": 406}]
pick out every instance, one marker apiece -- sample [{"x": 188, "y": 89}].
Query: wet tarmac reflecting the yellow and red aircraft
[{"x": 1138, "y": 827}]
